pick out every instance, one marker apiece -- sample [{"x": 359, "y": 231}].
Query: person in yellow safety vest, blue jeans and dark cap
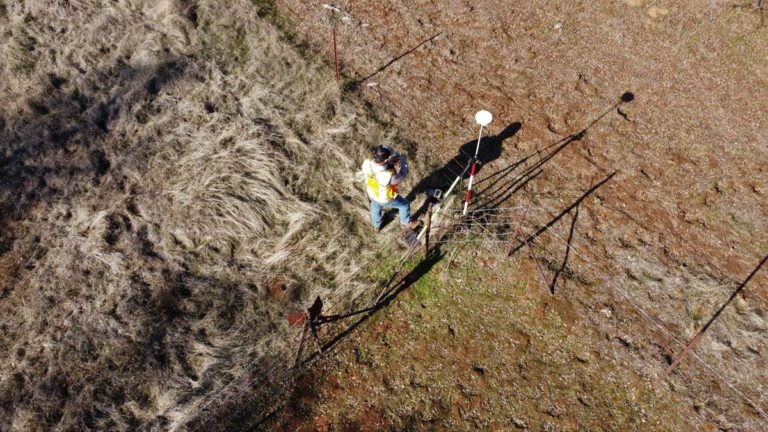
[{"x": 382, "y": 181}]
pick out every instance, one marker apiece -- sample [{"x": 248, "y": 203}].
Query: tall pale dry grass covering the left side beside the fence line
[{"x": 165, "y": 164}]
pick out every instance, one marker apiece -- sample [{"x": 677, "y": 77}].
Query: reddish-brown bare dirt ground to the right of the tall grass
[{"x": 654, "y": 251}]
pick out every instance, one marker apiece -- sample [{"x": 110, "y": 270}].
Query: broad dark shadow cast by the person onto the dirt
[{"x": 441, "y": 178}]
